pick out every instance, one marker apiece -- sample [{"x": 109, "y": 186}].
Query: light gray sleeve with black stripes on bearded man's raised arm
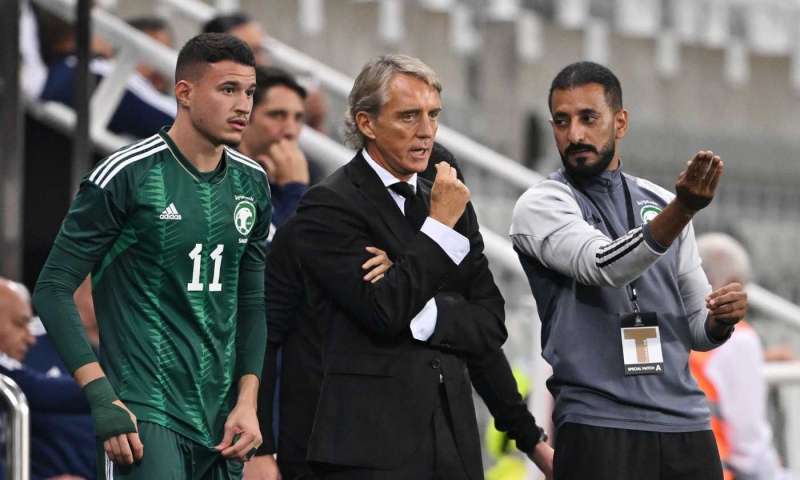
[{"x": 547, "y": 224}]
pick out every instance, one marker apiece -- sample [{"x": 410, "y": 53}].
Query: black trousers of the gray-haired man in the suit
[{"x": 437, "y": 457}]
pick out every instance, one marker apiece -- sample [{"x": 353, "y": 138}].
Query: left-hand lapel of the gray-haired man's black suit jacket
[{"x": 373, "y": 191}]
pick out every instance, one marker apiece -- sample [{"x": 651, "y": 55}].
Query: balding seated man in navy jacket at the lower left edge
[{"x": 45, "y": 393}]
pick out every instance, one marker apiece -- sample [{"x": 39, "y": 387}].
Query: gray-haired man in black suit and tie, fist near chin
[{"x": 395, "y": 399}]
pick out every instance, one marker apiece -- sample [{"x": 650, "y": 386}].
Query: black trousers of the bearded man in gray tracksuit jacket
[{"x": 585, "y": 452}]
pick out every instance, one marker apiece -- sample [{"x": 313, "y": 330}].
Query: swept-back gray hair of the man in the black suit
[{"x": 371, "y": 89}]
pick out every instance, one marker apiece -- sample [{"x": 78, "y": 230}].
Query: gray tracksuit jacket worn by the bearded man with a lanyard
[{"x": 578, "y": 275}]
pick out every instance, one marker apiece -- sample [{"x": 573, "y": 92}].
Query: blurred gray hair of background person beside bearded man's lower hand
[{"x": 724, "y": 259}]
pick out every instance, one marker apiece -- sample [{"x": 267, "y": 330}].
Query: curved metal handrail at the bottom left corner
[{"x": 18, "y": 438}]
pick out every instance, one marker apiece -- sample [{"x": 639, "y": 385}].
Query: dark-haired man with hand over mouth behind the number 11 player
[{"x": 271, "y": 138}]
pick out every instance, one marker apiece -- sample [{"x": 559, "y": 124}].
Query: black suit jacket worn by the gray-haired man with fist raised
[{"x": 380, "y": 386}]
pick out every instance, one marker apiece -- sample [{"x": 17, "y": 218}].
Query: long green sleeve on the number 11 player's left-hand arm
[{"x": 90, "y": 228}]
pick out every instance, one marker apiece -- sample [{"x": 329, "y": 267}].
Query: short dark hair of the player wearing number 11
[{"x": 211, "y": 48}]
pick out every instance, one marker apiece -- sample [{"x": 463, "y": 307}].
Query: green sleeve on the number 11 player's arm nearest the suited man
[{"x": 251, "y": 333}]
